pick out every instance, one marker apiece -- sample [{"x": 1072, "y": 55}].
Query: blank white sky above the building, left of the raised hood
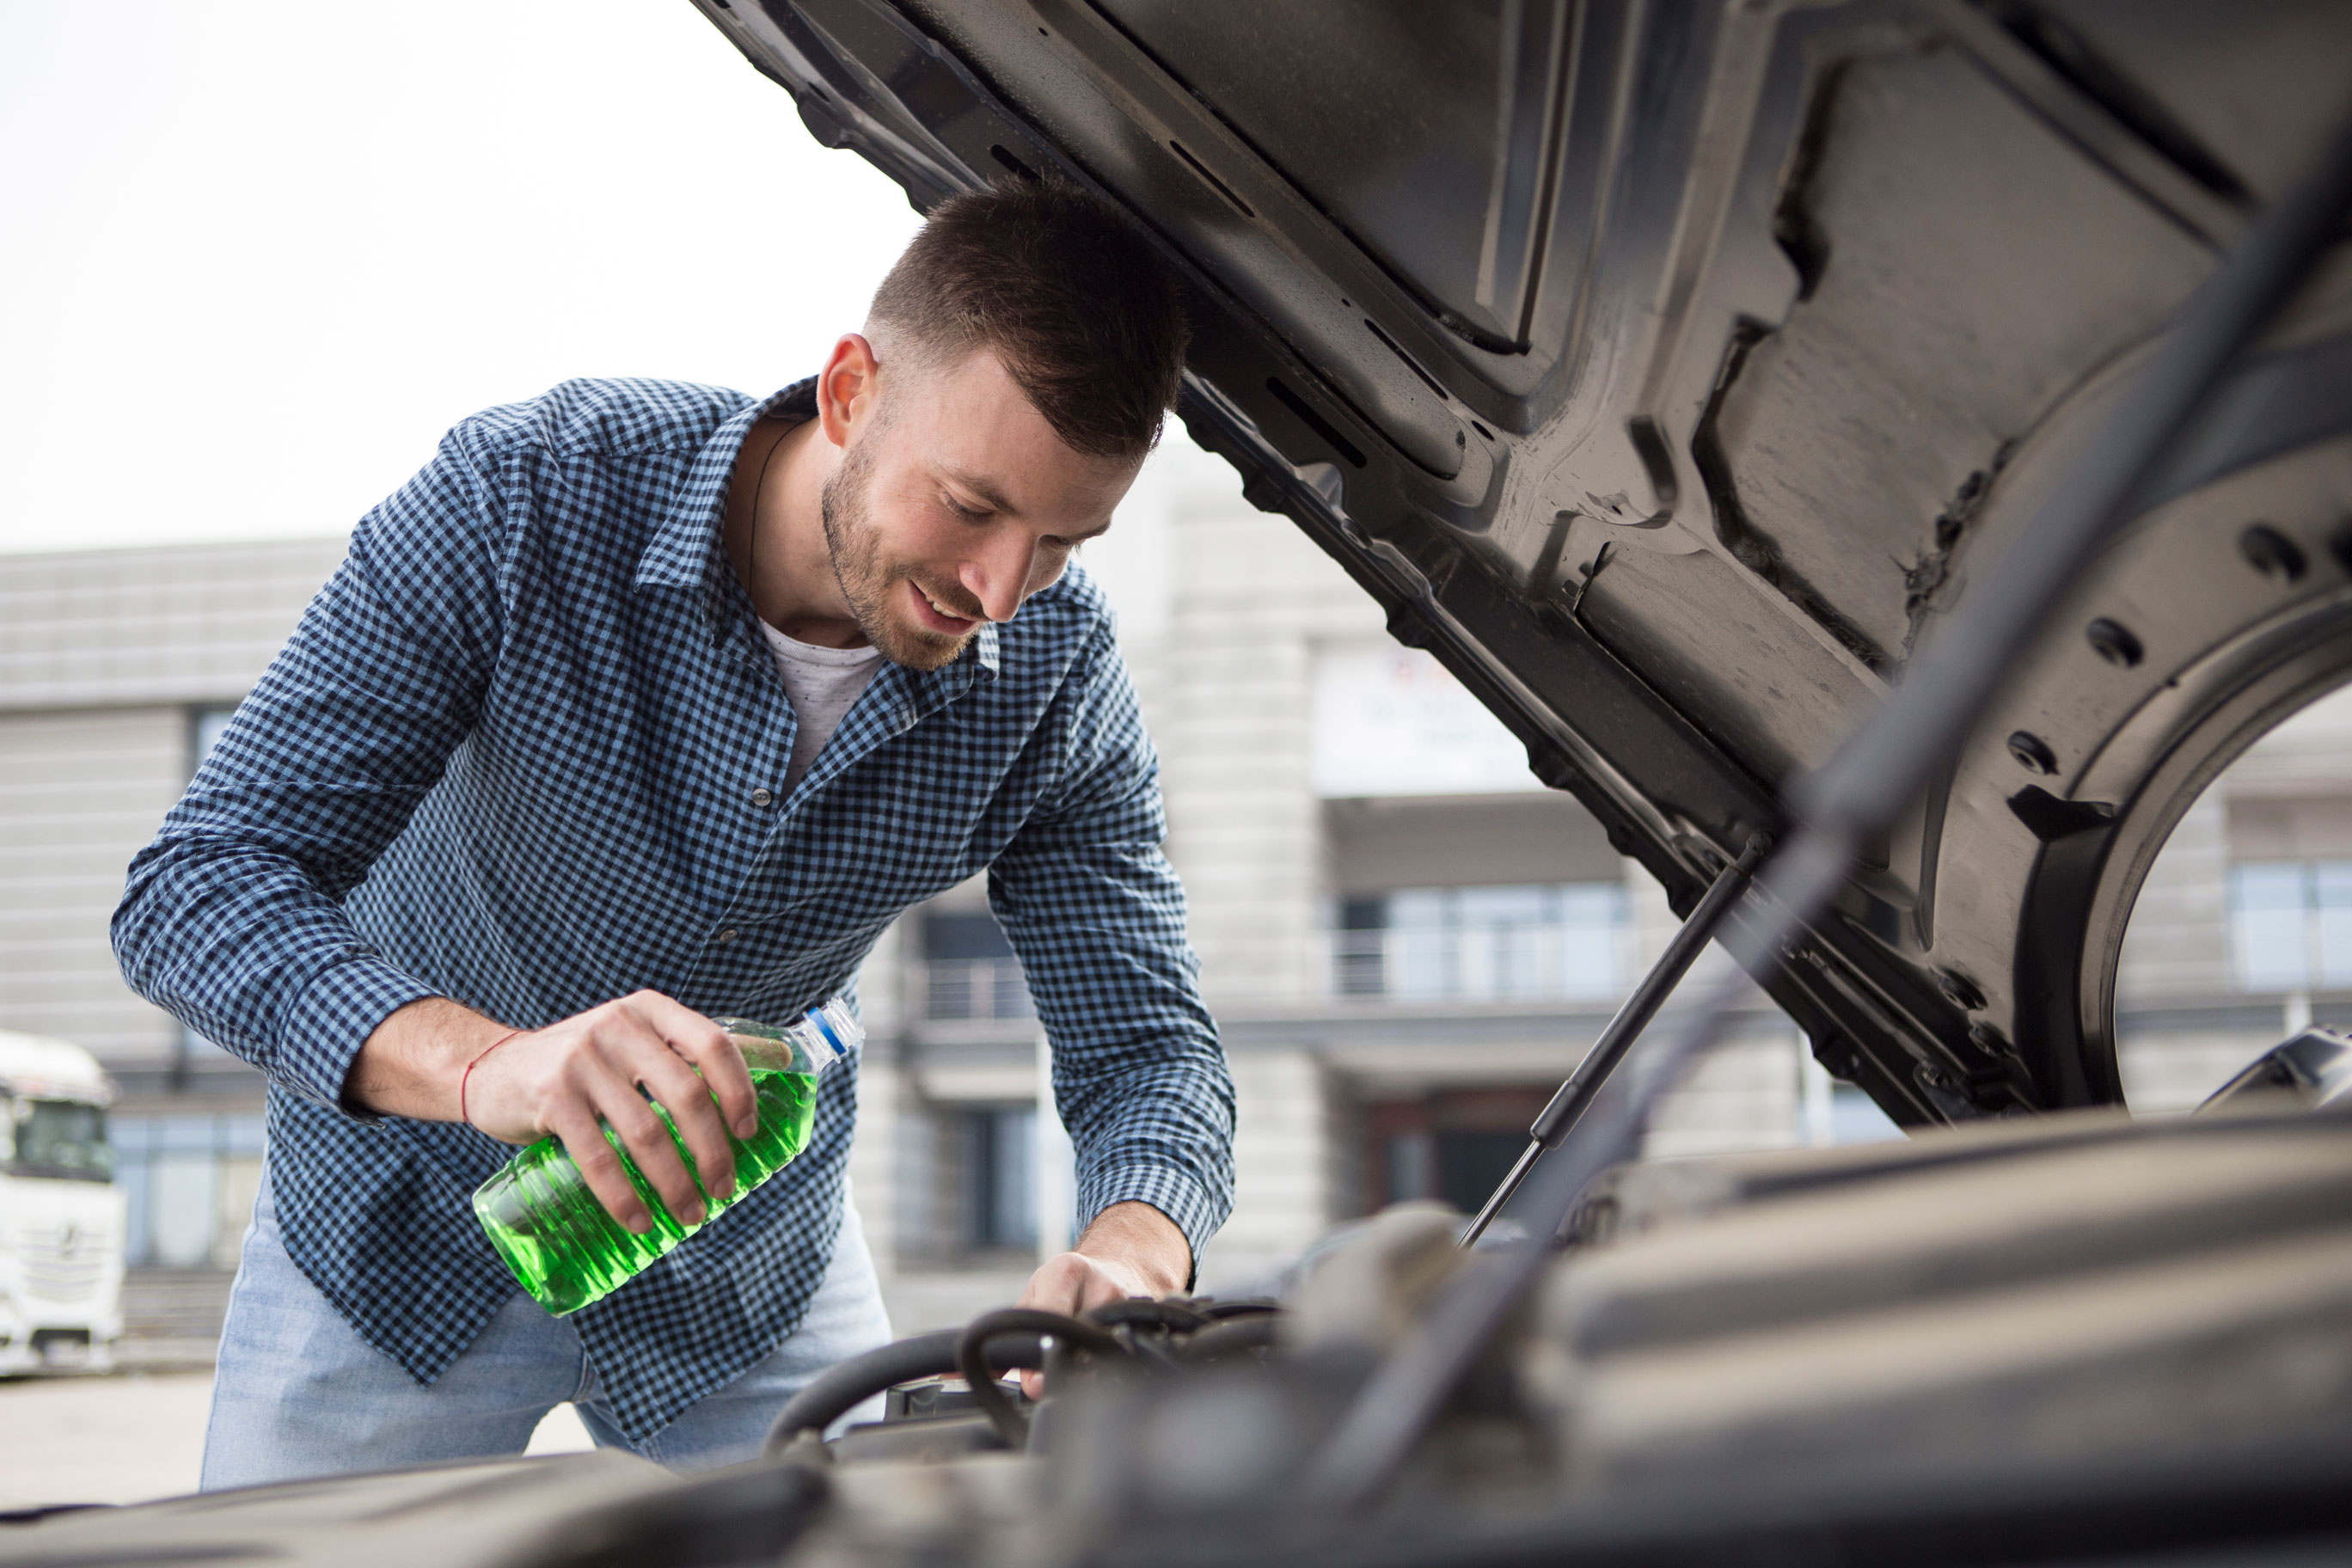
[{"x": 260, "y": 255}]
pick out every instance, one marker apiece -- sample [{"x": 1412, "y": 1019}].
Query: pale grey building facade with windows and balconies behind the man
[{"x": 1408, "y": 944}]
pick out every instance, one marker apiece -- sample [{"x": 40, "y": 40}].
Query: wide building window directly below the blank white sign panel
[{"x": 1485, "y": 944}]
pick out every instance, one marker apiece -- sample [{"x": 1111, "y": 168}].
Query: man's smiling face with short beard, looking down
[{"x": 954, "y": 507}]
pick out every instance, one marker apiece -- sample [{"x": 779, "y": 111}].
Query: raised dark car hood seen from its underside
[{"x": 1673, "y": 370}]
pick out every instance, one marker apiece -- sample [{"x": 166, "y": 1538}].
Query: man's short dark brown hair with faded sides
[{"x": 1064, "y": 290}]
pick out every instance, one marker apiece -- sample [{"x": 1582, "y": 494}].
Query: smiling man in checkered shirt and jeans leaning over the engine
[{"x": 648, "y": 704}]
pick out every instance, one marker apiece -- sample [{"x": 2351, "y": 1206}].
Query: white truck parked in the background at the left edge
[{"x": 62, "y": 1219}]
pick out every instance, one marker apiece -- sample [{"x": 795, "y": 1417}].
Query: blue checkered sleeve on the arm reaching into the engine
[{"x": 1097, "y": 918}]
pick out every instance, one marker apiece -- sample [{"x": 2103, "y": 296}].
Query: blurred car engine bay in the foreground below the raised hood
[{"x": 2033, "y": 1341}]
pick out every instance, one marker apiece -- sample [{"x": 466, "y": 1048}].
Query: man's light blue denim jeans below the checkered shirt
[{"x": 300, "y": 1395}]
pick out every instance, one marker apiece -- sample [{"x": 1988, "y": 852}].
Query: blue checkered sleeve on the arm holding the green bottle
[{"x": 232, "y": 918}]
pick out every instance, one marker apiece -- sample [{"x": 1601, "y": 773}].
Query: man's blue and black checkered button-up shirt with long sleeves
[{"x": 516, "y": 753}]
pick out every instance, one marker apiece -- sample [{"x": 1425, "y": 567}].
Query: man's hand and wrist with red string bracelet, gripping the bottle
[{"x": 566, "y": 1080}]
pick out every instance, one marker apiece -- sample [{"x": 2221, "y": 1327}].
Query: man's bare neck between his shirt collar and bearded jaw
[{"x": 777, "y": 535}]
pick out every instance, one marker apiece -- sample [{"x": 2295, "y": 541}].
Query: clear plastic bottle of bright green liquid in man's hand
[{"x": 559, "y": 1240}]
